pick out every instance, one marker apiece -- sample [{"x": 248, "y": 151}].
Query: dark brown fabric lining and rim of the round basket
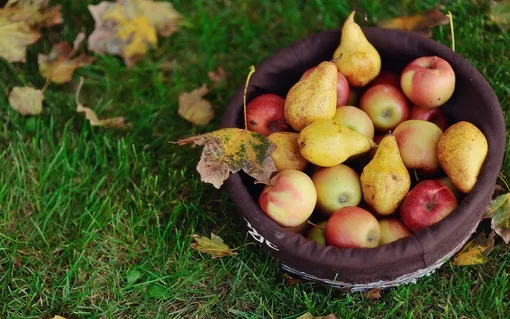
[{"x": 473, "y": 101}]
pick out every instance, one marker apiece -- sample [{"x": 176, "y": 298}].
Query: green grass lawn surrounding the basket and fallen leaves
[{"x": 95, "y": 223}]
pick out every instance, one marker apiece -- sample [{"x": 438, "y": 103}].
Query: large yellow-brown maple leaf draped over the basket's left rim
[{"x": 230, "y": 150}]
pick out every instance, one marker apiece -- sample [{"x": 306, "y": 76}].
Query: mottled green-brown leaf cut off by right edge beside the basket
[{"x": 499, "y": 212}]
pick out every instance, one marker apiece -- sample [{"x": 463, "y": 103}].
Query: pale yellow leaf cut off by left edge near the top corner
[{"x": 14, "y": 39}]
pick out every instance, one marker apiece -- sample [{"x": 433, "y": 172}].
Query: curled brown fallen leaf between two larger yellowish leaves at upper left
[{"x": 60, "y": 64}]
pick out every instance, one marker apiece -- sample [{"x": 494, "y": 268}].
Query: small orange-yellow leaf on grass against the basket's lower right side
[{"x": 475, "y": 252}]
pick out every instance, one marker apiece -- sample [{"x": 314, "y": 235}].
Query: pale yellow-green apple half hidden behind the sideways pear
[{"x": 355, "y": 119}]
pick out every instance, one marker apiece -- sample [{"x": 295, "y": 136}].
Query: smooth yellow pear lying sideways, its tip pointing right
[{"x": 328, "y": 143}]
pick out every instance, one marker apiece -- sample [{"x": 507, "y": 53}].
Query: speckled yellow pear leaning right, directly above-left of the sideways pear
[{"x": 313, "y": 97}]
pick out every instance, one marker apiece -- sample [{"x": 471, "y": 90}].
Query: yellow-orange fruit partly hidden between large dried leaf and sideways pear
[{"x": 287, "y": 155}]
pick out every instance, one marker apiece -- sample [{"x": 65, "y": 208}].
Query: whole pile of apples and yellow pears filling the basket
[{"x": 372, "y": 170}]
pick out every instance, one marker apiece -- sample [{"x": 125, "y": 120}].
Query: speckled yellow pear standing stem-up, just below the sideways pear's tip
[{"x": 385, "y": 180}]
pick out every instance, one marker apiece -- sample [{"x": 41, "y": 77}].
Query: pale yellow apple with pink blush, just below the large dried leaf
[{"x": 289, "y": 199}]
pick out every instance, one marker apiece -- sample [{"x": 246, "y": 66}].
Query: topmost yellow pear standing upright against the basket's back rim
[{"x": 355, "y": 57}]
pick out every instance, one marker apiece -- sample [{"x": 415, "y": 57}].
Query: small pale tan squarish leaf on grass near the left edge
[{"x": 26, "y": 100}]
